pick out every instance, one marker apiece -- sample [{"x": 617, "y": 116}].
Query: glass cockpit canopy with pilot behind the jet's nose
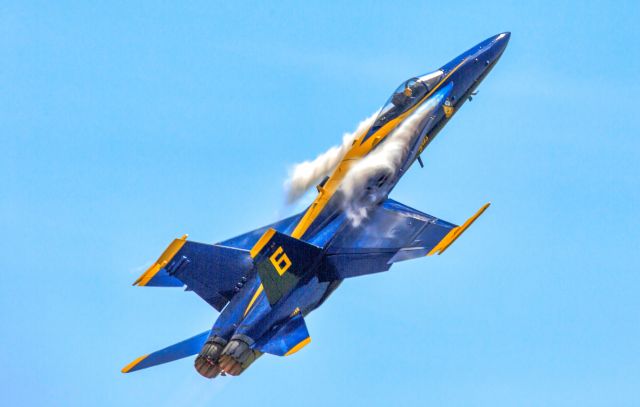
[{"x": 407, "y": 95}]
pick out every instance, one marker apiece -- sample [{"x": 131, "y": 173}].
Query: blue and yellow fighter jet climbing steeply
[{"x": 265, "y": 282}]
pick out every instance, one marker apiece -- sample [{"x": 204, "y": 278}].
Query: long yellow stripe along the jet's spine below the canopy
[{"x": 357, "y": 151}]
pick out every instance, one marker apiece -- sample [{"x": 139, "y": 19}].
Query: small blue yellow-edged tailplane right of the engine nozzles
[{"x": 290, "y": 338}]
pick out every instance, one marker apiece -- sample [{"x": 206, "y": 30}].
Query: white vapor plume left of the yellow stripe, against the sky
[{"x": 309, "y": 173}]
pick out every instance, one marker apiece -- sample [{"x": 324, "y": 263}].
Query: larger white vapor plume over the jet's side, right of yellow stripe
[{"x": 385, "y": 161}]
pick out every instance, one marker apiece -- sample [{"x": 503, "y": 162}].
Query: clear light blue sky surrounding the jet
[{"x": 123, "y": 126}]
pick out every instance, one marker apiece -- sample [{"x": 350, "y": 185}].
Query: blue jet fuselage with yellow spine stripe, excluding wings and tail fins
[{"x": 249, "y": 315}]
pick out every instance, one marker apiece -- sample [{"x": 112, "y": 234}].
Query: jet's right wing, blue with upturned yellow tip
[{"x": 393, "y": 232}]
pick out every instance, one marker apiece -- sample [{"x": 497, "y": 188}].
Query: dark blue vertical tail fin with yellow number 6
[{"x": 281, "y": 261}]
